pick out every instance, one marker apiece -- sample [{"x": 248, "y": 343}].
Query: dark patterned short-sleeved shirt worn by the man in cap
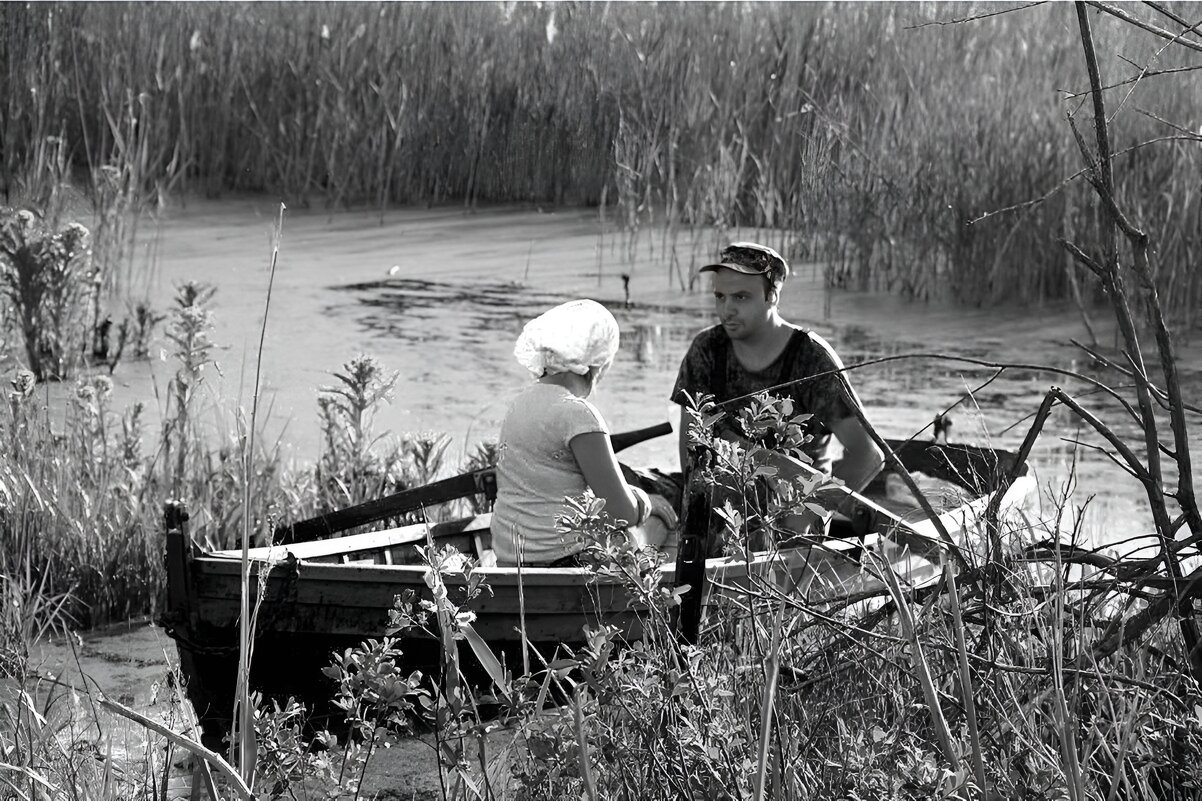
[{"x": 711, "y": 367}]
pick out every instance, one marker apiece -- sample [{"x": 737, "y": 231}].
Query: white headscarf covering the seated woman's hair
[{"x": 570, "y": 339}]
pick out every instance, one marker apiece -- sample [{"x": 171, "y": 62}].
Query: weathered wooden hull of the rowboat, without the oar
[{"x": 326, "y": 596}]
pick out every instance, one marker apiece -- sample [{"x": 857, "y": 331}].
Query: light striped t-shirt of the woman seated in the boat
[{"x": 537, "y": 470}]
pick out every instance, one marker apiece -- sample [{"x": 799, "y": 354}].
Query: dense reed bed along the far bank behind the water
[{"x": 859, "y": 135}]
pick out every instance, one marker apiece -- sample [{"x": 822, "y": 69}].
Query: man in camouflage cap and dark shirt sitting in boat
[{"x": 753, "y": 348}]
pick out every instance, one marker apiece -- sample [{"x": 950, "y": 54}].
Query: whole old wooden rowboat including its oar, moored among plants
[{"x": 328, "y": 595}]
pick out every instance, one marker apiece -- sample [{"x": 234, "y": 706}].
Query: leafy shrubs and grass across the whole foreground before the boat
[{"x": 789, "y": 696}]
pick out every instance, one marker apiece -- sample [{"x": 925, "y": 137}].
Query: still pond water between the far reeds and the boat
[{"x": 441, "y": 295}]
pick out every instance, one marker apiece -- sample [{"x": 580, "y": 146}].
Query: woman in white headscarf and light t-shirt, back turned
[{"x": 555, "y": 443}]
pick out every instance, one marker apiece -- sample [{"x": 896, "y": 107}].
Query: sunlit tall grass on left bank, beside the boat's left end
[{"x": 81, "y": 488}]
